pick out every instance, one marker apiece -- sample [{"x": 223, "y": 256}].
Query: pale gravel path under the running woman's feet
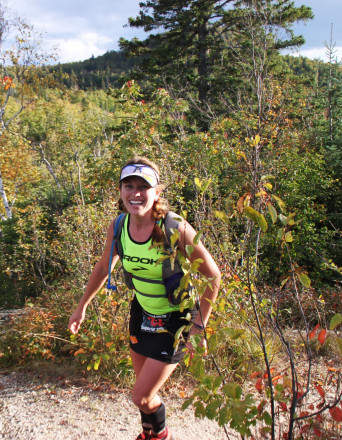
[{"x": 33, "y": 408}]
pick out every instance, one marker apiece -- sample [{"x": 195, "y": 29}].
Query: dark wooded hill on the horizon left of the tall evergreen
[{"x": 102, "y": 72}]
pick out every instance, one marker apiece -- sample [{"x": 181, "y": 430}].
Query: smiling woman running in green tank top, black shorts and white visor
[{"x": 154, "y": 320}]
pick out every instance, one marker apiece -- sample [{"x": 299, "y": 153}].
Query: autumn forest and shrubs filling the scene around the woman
[{"x": 248, "y": 141}]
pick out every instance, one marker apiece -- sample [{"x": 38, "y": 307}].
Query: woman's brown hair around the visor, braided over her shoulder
[{"x": 160, "y": 206}]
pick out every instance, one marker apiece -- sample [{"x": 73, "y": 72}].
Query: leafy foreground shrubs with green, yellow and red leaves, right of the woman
[{"x": 286, "y": 395}]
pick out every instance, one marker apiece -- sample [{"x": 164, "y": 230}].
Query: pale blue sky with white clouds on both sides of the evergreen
[{"x": 81, "y": 29}]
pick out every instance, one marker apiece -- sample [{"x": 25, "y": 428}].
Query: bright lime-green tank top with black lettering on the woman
[{"x": 139, "y": 260}]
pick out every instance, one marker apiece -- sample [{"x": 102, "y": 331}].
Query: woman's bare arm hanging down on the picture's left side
[{"x": 96, "y": 281}]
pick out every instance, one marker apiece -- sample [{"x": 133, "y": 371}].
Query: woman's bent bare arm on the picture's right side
[{"x": 208, "y": 268}]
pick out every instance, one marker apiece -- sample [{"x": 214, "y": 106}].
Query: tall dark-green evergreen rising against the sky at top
[{"x": 204, "y": 46}]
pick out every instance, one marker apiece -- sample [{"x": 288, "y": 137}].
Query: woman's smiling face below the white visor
[{"x": 138, "y": 196}]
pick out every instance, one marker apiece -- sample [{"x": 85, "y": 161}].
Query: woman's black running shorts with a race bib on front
[{"x": 153, "y": 336}]
